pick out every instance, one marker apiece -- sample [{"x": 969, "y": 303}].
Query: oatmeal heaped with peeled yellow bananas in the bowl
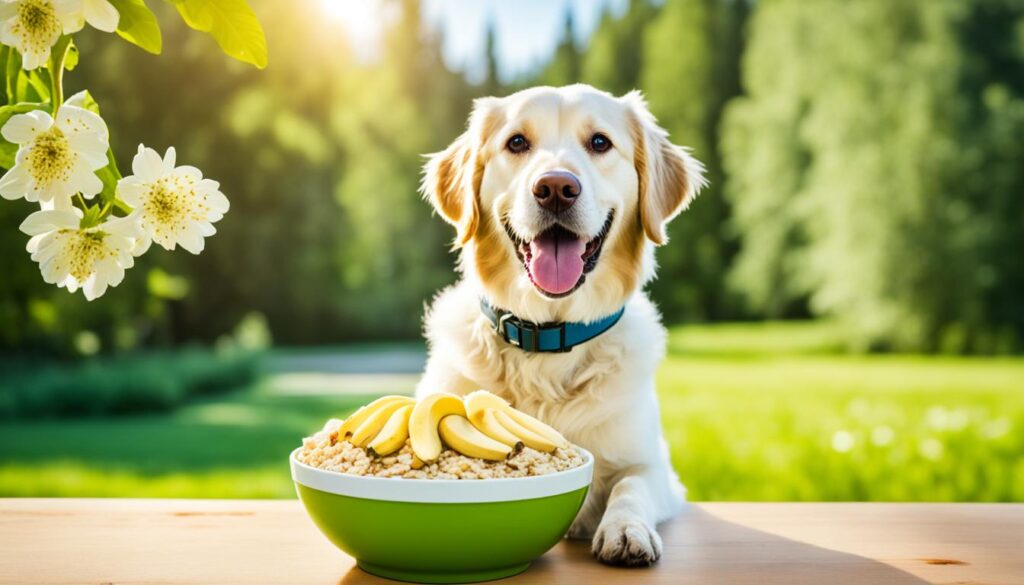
[{"x": 441, "y": 437}]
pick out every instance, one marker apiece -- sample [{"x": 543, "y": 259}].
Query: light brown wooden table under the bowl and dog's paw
[{"x": 225, "y": 542}]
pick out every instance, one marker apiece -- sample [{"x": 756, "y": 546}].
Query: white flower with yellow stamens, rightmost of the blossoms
[{"x": 176, "y": 205}]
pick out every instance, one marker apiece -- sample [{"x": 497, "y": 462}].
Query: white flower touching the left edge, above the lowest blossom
[{"x": 56, "y": 159}]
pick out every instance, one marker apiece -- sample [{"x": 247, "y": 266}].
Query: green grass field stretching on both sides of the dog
[{"x": 752, "y": 412}]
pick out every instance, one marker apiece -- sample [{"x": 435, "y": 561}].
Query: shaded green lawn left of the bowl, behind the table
[{"x": 227, "y": 447}]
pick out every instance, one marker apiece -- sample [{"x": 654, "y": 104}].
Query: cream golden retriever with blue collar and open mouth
[{"x": 559, "y": 197}]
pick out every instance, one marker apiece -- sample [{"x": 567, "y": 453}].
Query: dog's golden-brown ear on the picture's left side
[{"x": 452, "y": 178}]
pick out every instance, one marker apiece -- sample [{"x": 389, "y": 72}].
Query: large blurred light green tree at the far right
[{"x": 855, "y": 170}]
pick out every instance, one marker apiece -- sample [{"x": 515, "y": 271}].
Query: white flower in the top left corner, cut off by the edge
[{"x": 33, "y": 27}]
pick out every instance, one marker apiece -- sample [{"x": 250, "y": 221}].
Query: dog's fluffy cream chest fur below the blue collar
[{"x": 575, "y": 391}]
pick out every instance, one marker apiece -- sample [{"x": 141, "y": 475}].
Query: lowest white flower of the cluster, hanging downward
[{"x": 73, "y": 258}]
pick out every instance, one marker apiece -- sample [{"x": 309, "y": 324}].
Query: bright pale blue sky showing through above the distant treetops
[{"x": 526, "y": 31}]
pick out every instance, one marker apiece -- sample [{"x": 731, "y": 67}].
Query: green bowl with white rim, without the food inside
[{"x": 443, "y": 531}]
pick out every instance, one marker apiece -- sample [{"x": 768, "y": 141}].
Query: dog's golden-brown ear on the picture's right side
[{"x": 668, "y": 176}]
